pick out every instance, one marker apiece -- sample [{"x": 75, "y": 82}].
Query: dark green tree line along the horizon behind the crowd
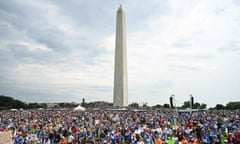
[{"x": 7, "y": 102}]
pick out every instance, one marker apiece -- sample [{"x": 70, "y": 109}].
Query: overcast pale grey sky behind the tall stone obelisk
[{"x": 63, "y": 50}]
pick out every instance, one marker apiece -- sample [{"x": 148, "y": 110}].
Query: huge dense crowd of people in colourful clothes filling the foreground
[{"x": 121, "y": 127}]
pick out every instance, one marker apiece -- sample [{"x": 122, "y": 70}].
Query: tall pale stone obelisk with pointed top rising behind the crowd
[{"x": 120, "y": 94}]
